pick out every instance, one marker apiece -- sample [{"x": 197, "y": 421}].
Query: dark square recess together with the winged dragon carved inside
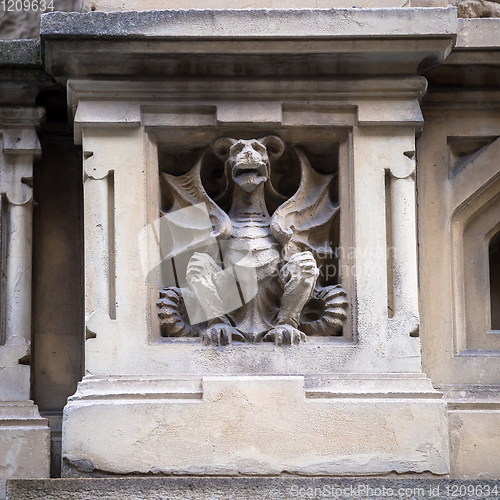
[{"x": 250, "y": 241}]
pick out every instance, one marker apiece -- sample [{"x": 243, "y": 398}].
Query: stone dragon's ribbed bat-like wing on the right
[{"x": 304, "y": 221}]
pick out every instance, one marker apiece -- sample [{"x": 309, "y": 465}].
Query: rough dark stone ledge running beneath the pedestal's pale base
[{"x": 271, "y": 488}]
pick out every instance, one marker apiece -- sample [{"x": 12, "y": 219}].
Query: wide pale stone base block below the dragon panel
[{"x": 256, "y": 425}]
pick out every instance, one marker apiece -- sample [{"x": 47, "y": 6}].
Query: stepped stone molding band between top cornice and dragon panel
[{"x": 370, "y": 102}]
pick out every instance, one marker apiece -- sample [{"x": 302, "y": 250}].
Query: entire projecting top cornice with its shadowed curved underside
[{"x": 249, "y": 43}]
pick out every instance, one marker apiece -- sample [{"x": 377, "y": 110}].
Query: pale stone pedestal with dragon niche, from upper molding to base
[{"x": 196, "y": 200}]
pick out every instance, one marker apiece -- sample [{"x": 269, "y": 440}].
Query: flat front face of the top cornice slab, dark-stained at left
[{"x": 255, "y": 23}]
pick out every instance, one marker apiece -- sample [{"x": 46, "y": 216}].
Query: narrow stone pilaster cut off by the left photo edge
[{"x": 24, "y": 435}]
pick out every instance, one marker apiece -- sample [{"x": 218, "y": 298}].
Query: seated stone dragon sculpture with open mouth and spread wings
[{"x": 282, "y": 248}]
